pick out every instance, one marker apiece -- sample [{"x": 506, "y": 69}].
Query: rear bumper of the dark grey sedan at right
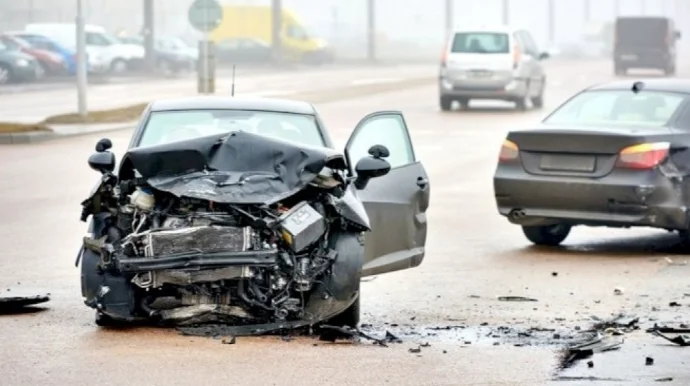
[{"x": 621, "y": 199}]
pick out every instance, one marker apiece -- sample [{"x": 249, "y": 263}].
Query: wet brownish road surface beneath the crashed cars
[{"x": 473, "y": 256}]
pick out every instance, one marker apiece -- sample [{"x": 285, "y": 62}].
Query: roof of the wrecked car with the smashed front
[{"x": 234, "y": 103}]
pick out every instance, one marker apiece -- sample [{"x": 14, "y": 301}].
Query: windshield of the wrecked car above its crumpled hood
[{"x": 172, "y": 126}]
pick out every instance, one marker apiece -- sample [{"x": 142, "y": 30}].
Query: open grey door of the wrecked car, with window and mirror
[{"x": 396, "y": 203}]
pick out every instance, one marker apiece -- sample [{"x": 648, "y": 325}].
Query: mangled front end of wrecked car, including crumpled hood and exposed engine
[{"x": 235, "y": 229}]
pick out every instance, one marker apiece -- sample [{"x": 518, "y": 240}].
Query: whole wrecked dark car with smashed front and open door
[{"x": 240, "y": 212}]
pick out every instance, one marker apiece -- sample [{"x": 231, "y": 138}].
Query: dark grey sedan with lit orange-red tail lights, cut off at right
[{"x": 613, "y": 155}]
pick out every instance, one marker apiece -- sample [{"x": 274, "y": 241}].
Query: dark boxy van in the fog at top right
[{"x": 645, "y": 42}]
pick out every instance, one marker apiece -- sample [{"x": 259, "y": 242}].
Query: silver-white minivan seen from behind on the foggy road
[{"x": 488, "y": 62}]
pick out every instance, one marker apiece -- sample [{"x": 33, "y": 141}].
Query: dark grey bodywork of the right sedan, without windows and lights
[{"x": 531, "y": 196}]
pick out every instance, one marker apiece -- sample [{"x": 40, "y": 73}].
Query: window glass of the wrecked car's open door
[{"x": 388, "y": 130}]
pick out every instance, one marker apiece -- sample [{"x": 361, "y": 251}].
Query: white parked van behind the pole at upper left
[{"x": 105, "y": 52}]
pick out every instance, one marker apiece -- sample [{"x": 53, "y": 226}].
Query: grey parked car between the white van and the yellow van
[{"x": 172, "y": 55}]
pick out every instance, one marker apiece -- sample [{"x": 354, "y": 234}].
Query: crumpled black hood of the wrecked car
[{"x": 234, "y": 168}]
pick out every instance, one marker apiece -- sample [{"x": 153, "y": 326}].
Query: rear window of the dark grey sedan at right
[{"x": 617, "y": 108}]
